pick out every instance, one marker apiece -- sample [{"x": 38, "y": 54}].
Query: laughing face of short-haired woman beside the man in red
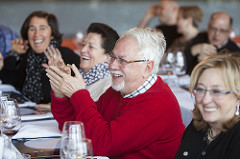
[{"x": 92, "y": 52}]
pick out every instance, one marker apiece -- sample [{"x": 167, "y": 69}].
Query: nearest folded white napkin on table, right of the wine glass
[{"x": 35, "y": 131}]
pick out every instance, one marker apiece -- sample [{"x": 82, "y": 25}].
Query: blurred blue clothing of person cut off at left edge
[{"x": 6, "y": 36}]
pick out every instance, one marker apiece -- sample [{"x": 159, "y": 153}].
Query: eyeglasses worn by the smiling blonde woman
[{"x": 211, "y": 92}]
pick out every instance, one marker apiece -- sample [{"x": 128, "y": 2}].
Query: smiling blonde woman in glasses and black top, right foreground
[{"x": 215, "y": 129}]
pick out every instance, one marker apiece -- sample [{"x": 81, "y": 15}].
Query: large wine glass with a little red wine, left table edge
[{"x": 10, "y": 117}]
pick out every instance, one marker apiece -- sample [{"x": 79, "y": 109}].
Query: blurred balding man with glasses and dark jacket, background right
[{"x": 216, "y": 39}]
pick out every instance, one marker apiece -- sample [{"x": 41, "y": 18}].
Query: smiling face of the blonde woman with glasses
[{"x": 215, "y": 111}]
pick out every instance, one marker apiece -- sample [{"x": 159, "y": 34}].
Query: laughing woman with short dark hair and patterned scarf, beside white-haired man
[{"x": 96, "y": 46}]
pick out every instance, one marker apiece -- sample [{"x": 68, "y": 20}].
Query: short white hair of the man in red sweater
[{"x": 152, "y": 44}]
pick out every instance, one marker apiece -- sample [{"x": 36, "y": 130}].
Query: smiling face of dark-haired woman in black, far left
[{"x": 39, "y": 34}]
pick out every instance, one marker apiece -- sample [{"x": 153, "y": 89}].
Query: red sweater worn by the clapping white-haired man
[{"x": 146, "y": 126}]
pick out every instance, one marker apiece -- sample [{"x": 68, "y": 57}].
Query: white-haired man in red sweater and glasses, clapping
[{"x": 139, "y": 116}]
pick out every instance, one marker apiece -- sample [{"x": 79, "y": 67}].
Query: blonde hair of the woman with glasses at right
[{"x": 229, "y": 65}]
